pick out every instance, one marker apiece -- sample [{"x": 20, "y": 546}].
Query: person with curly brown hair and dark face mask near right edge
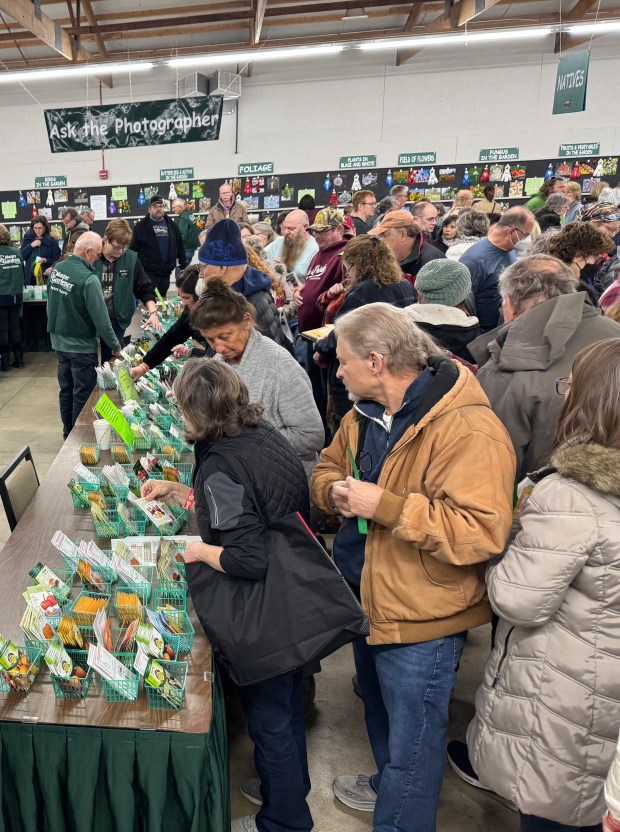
[{"x": 581, "y": 246}]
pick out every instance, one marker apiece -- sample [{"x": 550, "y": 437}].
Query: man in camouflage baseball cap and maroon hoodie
[{"x": 324, "y": 271}]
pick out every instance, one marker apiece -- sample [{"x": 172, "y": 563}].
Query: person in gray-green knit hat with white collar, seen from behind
[{"x": 444, "y": 306}]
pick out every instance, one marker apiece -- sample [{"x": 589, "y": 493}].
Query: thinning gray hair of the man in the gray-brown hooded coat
[{"x": 534, "y": 279}]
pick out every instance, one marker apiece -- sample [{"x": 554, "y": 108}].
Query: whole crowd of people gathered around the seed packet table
[{"x": 445, "y": 392}]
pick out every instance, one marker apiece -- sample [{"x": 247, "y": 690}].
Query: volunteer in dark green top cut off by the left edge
[{"x": 11, "y": 297}]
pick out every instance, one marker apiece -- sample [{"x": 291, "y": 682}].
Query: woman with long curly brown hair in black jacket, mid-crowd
[{"x": 372, "y": 275}]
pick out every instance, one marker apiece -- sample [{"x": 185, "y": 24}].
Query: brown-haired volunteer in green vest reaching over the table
[{"x": 122, "y": 279}]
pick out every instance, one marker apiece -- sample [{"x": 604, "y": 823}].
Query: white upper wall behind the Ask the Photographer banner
[{"x": 304, "y": 118}]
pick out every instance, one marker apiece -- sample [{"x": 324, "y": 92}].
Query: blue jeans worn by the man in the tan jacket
[{"x": 406, "y": 691}]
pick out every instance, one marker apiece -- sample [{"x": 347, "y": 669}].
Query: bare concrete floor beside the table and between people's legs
[{"x": 337, "y": 741}]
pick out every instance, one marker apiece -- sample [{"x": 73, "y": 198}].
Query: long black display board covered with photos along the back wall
[{"x": 268, "y": 195}]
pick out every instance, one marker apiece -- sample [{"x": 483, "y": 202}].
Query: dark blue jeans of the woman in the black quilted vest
[{"x": 274, "y": 710}]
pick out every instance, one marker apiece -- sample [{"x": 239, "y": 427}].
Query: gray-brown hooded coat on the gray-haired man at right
[{"x": 519, "y": 363}]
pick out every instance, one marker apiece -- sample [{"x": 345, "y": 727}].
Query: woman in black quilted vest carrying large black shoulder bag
[{"x": 218, "y": 416}]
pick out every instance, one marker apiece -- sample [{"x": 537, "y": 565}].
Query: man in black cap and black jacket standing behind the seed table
[{"x": 159, "y": 245}]
